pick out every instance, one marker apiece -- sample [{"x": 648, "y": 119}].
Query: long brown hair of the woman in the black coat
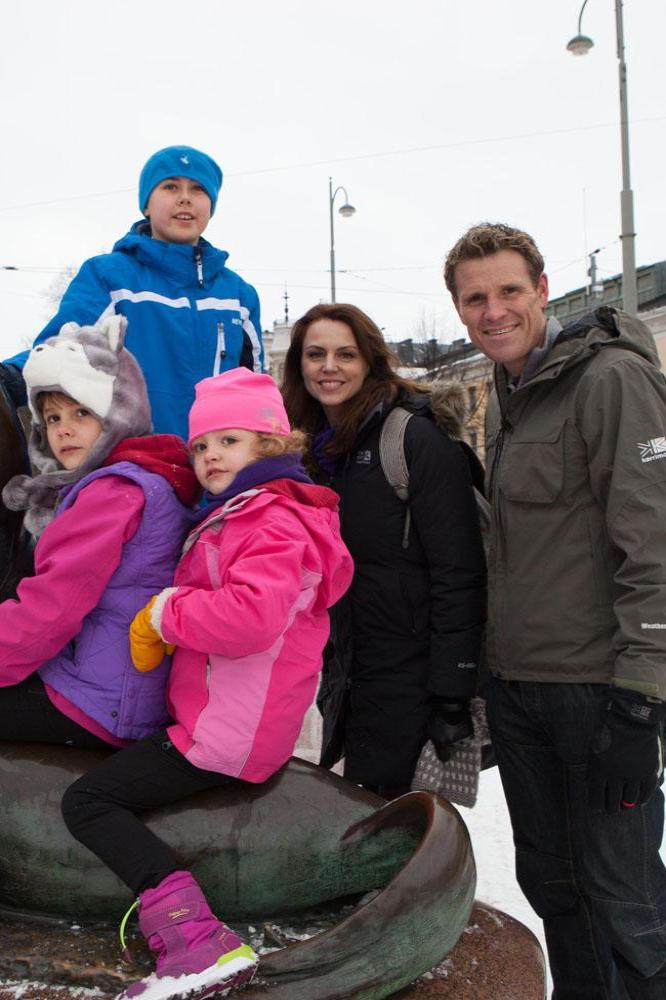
[{"x": 382, "y": 383}]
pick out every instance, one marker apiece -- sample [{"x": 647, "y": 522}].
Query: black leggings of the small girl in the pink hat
[{"x": 100, "y": 809}]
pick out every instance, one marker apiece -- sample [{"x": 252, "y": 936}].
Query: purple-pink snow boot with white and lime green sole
[{"x": 196, "y": 954}]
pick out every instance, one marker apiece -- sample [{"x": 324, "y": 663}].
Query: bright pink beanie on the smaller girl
[{"x": 237, "y": 398}]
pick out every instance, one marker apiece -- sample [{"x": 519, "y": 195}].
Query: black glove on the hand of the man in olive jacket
[{"x": 627, "y": 753}]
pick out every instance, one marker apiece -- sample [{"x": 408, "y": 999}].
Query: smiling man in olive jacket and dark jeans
[{"x": 576, "y": 473}]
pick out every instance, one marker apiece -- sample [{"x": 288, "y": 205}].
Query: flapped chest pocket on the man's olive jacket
[{"x": 532, "y": 471}]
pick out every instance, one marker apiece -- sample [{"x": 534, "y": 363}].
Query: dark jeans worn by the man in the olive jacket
[{"x": 597, "y": 881}]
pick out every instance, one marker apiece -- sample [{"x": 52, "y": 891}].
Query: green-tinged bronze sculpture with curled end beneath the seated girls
[{"x": 302, "y": 838}]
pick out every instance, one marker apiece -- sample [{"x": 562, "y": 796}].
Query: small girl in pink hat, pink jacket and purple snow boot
[{"x": 247, "y": 615}]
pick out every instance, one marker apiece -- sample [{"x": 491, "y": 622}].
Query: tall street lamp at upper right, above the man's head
[{"x": 580, "y": 45}]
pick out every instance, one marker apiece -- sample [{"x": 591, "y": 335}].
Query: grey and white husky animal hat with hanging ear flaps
[{"x": 90, "y": 364}]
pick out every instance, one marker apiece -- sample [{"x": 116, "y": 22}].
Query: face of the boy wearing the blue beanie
[{"x": 179, "y": 210}]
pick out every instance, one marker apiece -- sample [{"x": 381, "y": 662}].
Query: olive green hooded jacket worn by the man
[{"x": 576, "y": 474}]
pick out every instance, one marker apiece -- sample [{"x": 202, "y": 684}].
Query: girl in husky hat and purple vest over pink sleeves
[{"x": 109, "y": 512}]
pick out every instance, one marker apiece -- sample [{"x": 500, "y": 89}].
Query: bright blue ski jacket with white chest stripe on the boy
[{"x": 188, "y": 316}]
